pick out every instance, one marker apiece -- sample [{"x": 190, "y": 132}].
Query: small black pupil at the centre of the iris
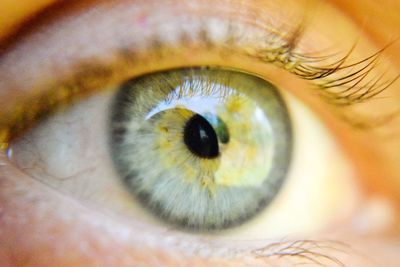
[{"x": 201, "y": 138}]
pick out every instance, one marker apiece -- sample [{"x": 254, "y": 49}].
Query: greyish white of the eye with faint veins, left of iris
[{"x": 69, "y": 152}]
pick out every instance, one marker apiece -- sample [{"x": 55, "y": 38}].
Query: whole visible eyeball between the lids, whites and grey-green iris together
[{"x": 69, "y": 152}]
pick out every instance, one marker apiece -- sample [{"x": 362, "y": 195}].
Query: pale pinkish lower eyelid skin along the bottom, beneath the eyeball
[{"x": 116, "y": 245}]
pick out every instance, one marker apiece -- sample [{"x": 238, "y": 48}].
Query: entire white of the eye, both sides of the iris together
[{"x": 69, "y": 152}]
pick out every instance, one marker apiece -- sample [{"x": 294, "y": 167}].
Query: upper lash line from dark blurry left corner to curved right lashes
[{"x": 278, "y": 47}]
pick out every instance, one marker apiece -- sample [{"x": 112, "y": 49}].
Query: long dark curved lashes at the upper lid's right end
[{"x": 340, "y": 83}]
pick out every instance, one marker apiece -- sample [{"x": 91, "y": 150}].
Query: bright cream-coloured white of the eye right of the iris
[{"x": 320, "y": 189}]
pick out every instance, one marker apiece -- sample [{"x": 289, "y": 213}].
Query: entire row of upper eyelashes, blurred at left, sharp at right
[{"x": 338, "y": 83}]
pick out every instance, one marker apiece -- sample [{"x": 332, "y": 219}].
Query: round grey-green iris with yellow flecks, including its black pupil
[{"x": 201, "y": 148}]
